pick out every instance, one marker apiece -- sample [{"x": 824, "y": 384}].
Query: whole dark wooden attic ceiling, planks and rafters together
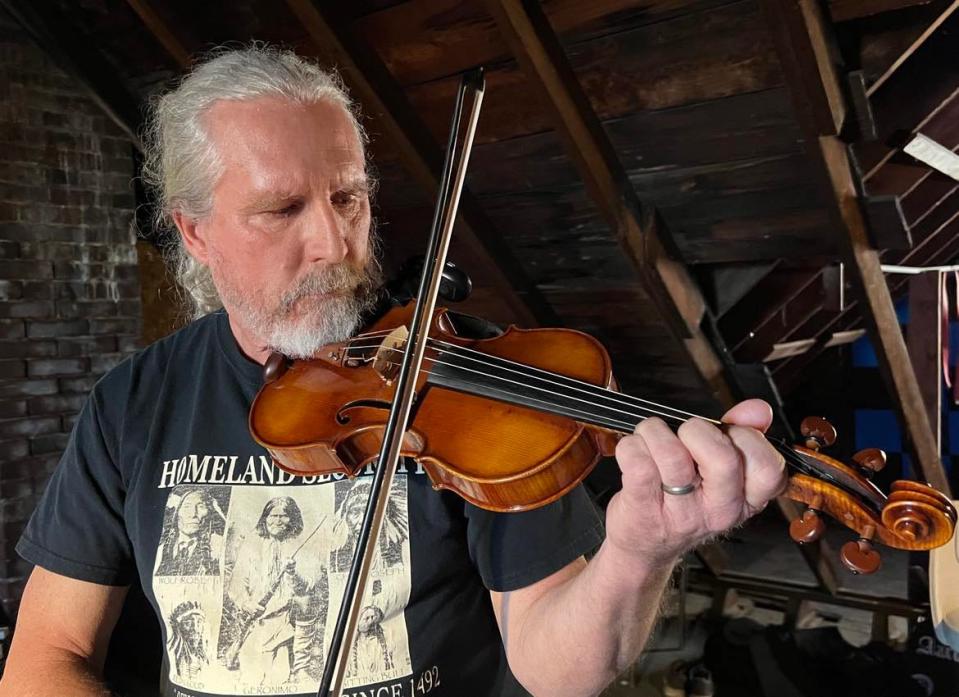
[{"x": 705, "y": 122}]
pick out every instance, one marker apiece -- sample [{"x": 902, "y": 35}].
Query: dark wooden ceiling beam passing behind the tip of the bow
[{"x": 384, "y": 100}]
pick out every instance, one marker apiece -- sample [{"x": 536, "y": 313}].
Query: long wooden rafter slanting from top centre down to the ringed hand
[{"x": 533, "y": 42}]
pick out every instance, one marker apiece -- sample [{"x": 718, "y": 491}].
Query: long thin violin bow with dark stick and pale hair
[{"x": 451, "y": 185}]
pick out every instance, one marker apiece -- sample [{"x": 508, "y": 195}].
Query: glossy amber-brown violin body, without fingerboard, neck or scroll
[{"x": 327, "y": 415}]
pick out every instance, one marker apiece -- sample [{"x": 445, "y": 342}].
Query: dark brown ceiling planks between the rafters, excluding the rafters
[{"x": 690, "y": 96}]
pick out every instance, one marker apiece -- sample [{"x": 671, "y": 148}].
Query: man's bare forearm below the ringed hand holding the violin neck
[{"x": 578, "y": 636}]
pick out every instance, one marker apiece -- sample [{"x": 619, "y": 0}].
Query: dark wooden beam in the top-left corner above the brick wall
[{"x": 53, "y": 34}]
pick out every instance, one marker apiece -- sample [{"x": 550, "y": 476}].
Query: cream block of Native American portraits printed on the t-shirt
[{"x": 249, "y": 580}]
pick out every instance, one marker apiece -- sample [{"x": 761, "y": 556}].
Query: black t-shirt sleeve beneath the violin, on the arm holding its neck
[{"x": 514, "y": 550}]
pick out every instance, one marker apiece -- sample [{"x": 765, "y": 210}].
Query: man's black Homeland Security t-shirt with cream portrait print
[{"x": 244, "y": 564}]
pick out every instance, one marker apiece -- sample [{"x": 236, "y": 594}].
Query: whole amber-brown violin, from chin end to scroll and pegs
[{"x": 514, "y": 422}]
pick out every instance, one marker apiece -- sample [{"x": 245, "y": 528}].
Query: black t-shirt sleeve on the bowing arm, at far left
[{"x": 77, "y": 529}]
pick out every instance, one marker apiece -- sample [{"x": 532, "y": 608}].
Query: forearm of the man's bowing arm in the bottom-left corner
[{"x": 51, "y": 674}]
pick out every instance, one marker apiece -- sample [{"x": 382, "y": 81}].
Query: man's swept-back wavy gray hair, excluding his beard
[{"x": 181, "y": 165}]
